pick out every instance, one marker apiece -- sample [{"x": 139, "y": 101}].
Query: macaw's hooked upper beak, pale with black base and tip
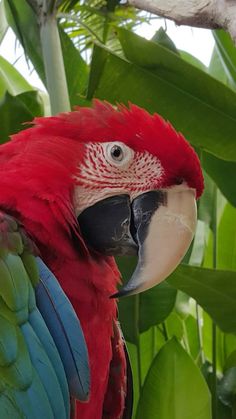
[{"x": 163, "y": 237}]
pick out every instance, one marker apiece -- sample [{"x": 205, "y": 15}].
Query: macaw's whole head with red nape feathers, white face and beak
[{"x": 131, "y": 179}]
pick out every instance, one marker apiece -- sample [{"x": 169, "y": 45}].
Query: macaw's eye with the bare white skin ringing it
[{"x": 119, "y": 154}]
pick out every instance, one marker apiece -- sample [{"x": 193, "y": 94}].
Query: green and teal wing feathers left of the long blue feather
[{"x": 32, "y": 379}]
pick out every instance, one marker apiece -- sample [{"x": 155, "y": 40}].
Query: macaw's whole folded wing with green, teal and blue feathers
[{"x": 39, "y": 330}]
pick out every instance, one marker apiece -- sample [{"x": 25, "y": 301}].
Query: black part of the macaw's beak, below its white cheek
[{"x": 116, "y": 227}]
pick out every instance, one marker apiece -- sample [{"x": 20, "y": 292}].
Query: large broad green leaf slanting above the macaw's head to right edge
[{"x": 160, "y": 81}]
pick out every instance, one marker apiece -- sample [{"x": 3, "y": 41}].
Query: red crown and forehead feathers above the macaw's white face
[{"x": 135, "y": 127}]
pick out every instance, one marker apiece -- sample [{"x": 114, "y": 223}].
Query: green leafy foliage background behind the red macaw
[{"x": 181, "y": 335}]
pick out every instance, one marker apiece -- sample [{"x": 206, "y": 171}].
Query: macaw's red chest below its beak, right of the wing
[{"x": 88, "y": 286}]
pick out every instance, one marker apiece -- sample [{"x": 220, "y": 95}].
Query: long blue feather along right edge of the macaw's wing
[{"x": 66, "y": 331}]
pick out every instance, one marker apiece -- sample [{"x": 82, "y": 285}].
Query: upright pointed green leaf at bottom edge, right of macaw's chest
[{"x": 168, "y": 389}]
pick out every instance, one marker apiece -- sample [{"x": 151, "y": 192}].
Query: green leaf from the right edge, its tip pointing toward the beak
[{"x": 214, "y": 290}]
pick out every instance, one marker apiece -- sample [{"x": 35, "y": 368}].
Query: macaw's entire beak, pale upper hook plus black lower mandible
[{"x": 158, "y": 225}]
